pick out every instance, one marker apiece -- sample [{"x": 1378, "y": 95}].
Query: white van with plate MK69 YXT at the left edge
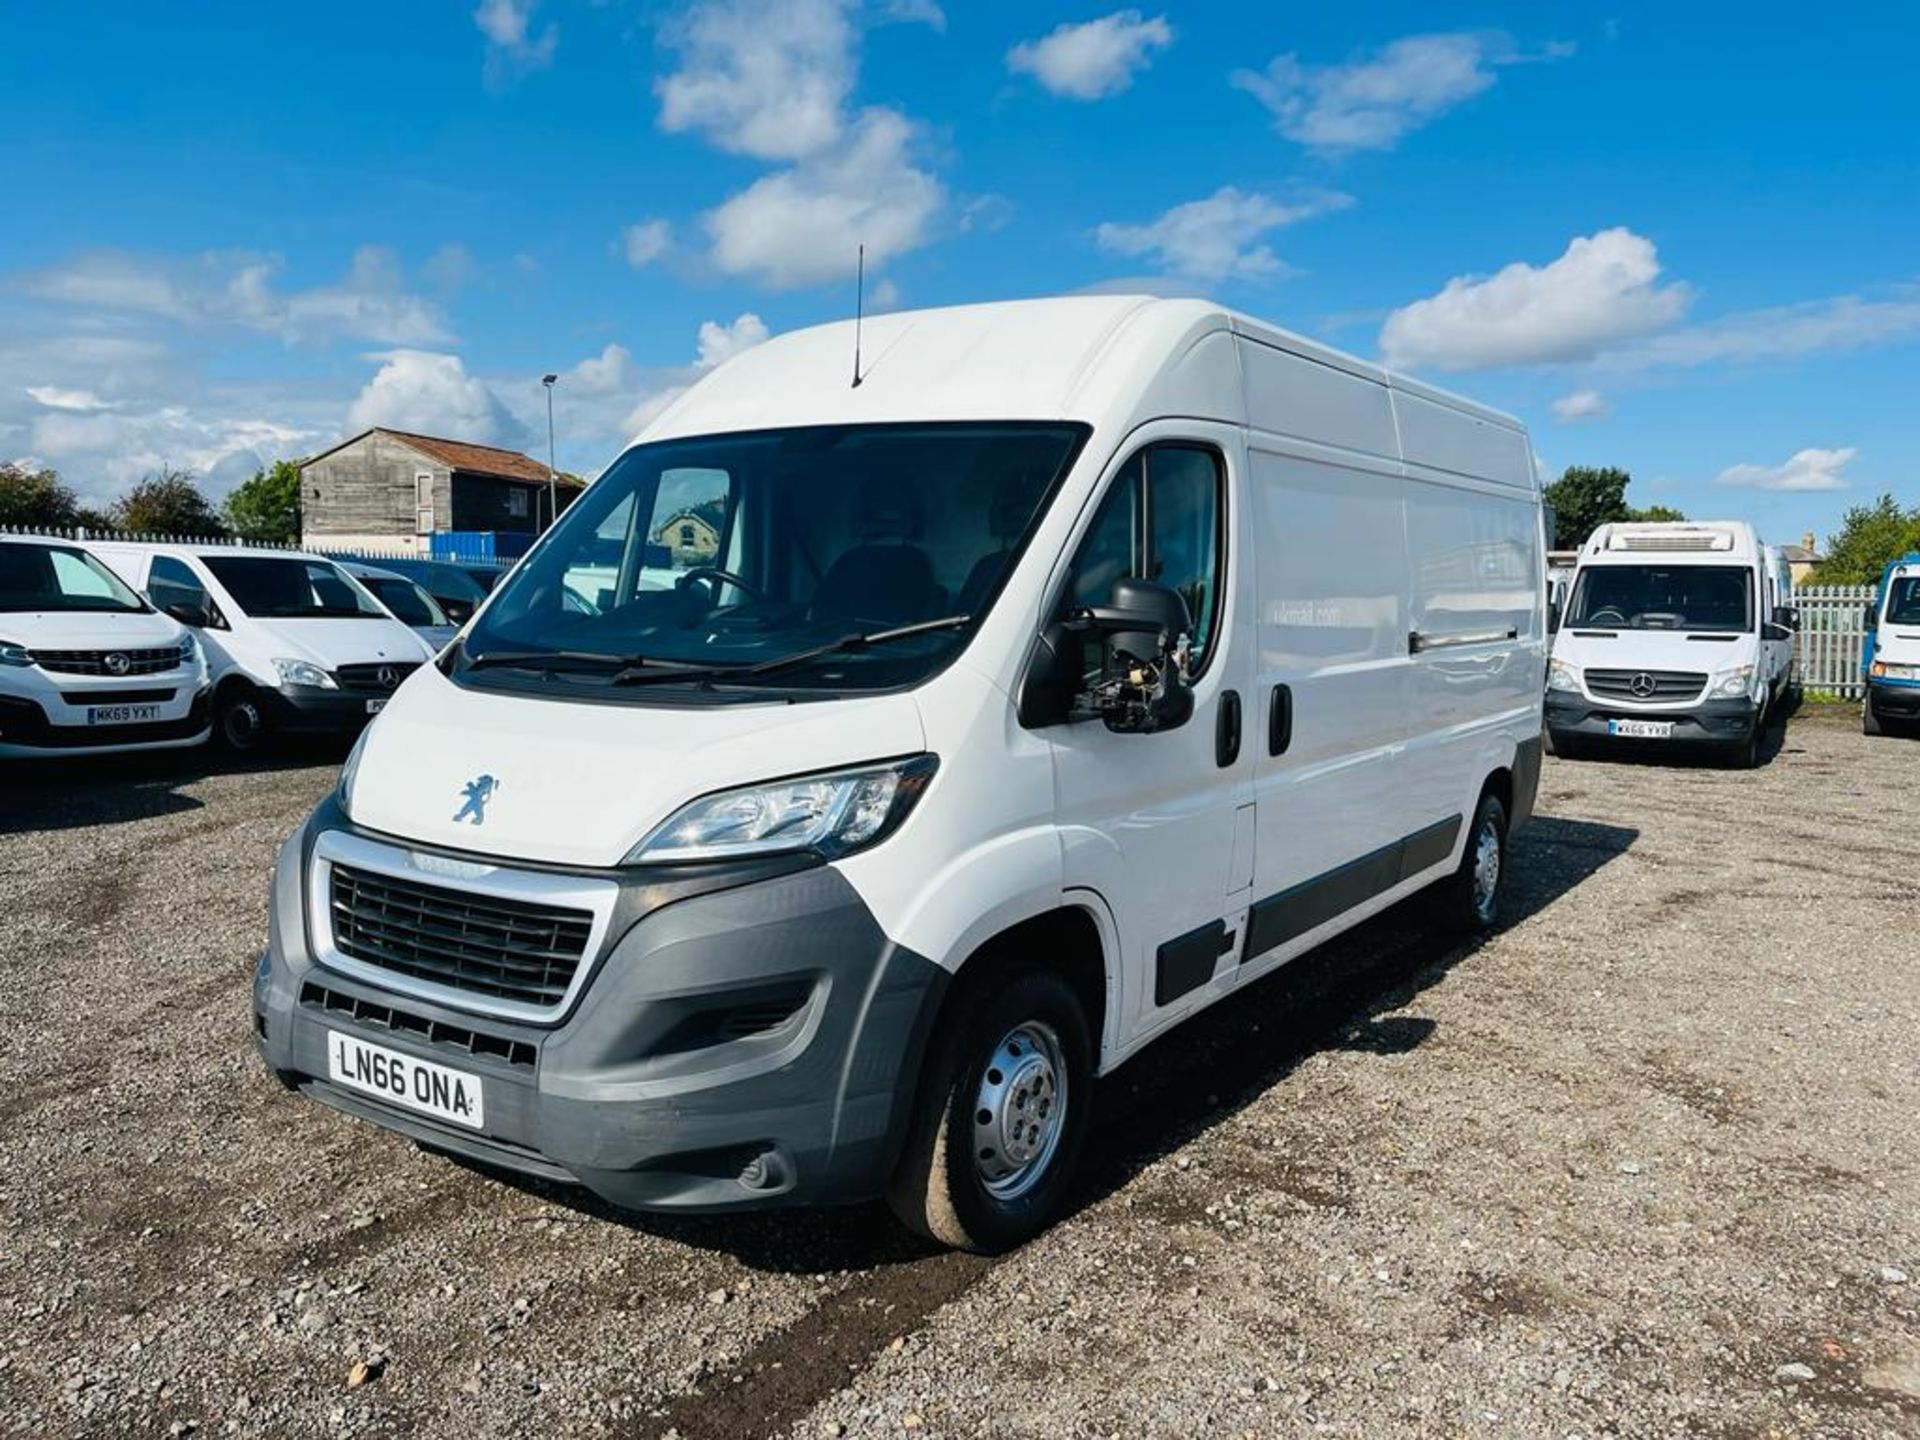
[{"x": 87, "y": 667}]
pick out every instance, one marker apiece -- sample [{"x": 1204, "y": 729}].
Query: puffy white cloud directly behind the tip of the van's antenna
[{"x": 804, "y": 226}]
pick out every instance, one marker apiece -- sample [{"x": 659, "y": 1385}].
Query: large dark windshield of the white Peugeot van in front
[{"x": 731, "y": 552}]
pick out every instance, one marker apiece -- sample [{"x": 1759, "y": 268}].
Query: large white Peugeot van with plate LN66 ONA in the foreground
[{"x": 1080, "y": 665}]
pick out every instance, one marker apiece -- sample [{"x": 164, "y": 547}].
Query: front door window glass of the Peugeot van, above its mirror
[{"x": 1161, "y": 521}]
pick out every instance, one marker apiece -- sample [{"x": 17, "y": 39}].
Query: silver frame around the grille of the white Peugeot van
[{"x": 485, "y": 880}]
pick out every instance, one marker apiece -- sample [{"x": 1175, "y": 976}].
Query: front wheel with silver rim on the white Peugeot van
[{"x": 1001, "y": 1115}]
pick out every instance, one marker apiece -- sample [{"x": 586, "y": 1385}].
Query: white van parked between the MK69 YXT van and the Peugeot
[{"x": 295, "y": 646}]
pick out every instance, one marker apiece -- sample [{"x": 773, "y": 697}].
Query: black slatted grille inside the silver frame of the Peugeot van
[{"x": 506, "y": 949}]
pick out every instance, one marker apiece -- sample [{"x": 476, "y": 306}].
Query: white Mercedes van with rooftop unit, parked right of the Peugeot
[{"x": 1668, "y": 638}]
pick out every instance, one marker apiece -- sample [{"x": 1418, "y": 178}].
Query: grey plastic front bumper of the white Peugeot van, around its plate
[{"x": 644, "y": 1092}]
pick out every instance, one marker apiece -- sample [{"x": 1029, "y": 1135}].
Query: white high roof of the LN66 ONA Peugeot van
[{"x": 1074, "y": 358}]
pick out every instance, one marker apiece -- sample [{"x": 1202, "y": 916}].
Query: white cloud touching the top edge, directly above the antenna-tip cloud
[{"x": 761, "y": 78}]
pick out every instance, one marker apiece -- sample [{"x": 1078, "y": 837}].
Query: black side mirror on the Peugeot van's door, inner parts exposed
[{"x": 1143, "y": 633}]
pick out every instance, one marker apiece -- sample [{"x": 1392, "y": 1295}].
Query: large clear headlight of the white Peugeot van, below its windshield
[{"x": 832, "y": 815}]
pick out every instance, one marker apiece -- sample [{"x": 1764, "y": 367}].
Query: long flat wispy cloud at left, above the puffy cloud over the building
[{"x": 237, "y": 289}]
